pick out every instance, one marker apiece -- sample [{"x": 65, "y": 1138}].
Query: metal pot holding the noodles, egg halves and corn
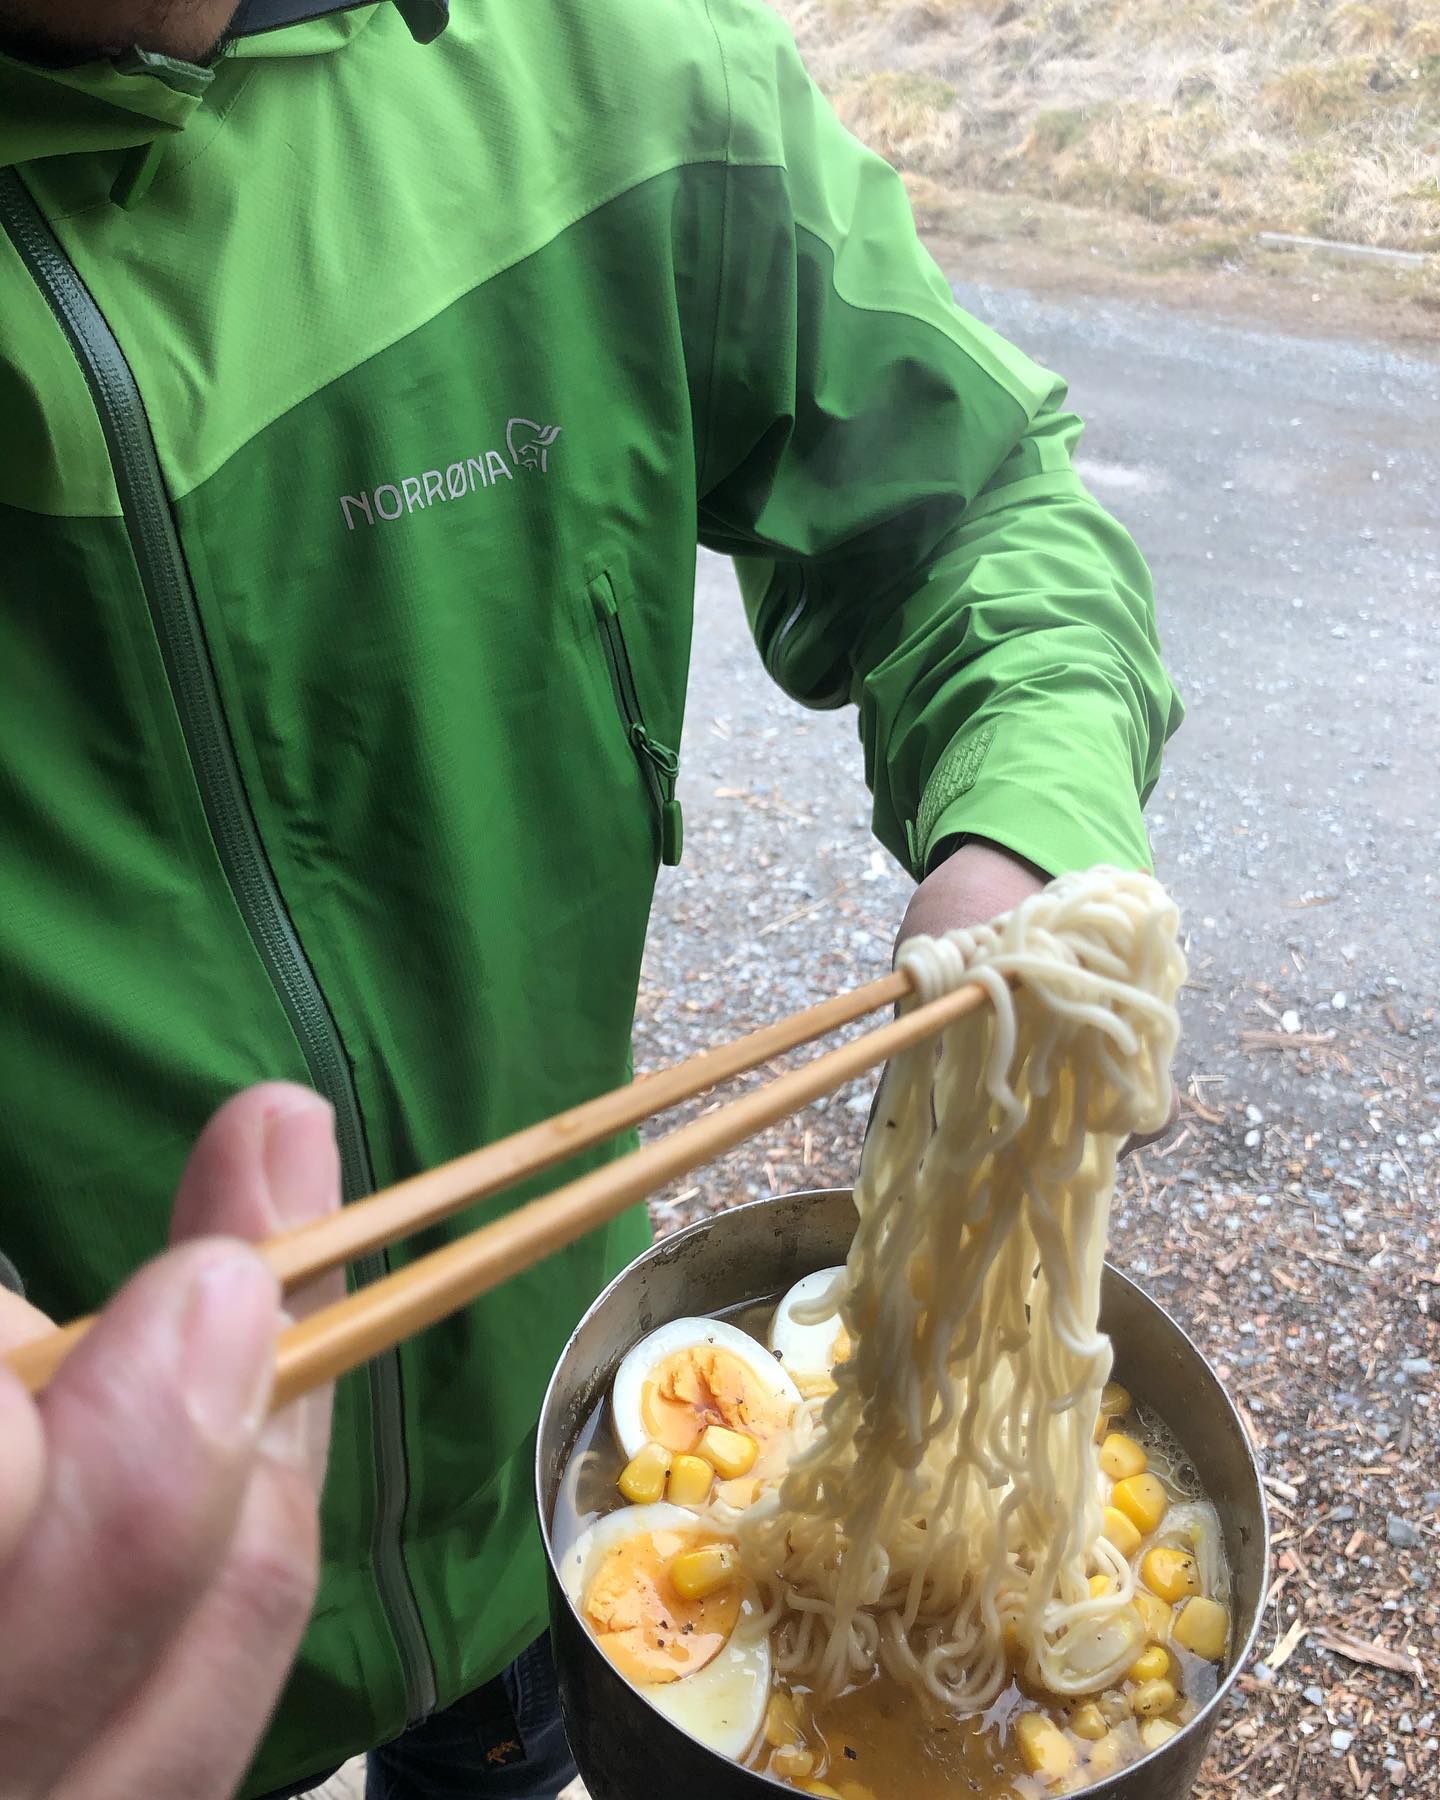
[{"x": 624, "y": 1747}]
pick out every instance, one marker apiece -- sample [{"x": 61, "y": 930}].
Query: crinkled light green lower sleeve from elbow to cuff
[{"x": 1020, "y": 694}]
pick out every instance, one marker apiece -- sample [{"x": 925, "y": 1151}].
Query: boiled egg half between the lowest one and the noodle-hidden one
[{"x": 694, "y": 1374}]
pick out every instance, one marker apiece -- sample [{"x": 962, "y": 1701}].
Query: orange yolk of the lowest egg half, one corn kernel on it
[{"x": 649, "y": 1632}]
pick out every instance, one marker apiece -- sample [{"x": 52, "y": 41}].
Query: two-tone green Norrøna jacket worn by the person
[{"x": 361, "y": 408}]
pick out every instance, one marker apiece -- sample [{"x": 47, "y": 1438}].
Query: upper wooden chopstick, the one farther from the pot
[{"x": 411, "y": 1205}]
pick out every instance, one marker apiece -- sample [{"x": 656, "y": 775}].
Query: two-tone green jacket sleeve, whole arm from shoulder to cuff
[{"x": 895, "y": 487}]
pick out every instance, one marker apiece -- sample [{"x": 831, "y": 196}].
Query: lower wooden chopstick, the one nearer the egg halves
[{"x": 384, "y": 1313}]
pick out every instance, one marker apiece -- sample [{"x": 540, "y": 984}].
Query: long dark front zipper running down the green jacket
[{"x": 237, "y": 838}]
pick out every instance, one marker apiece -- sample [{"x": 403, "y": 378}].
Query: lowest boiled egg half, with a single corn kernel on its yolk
[{"x": 703, "y": 1662}]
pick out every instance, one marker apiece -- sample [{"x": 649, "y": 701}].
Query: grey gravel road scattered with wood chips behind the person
[{"x": 1286, "y": 496}]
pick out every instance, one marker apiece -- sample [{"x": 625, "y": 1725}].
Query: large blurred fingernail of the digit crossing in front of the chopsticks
[{"x": 229, "y": 1345}]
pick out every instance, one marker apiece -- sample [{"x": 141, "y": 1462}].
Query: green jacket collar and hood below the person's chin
[{"x": 138, "y": 98}]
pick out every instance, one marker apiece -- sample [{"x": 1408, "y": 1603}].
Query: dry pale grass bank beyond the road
[{"x": 1302, "y": 116}]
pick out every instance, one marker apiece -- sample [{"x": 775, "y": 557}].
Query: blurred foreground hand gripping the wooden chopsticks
[{"x": 157, "y": 1536}]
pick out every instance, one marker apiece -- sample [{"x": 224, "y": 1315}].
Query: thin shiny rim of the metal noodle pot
[{"x": 1205, "y": 1718}]
